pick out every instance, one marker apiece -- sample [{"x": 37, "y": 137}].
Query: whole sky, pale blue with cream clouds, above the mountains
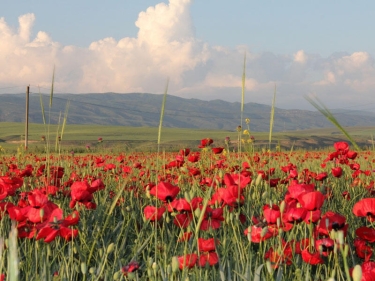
[{"x": 323, "y": 49}]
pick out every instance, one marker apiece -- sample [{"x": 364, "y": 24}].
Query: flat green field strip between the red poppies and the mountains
[{"x": 77, "y": 137}]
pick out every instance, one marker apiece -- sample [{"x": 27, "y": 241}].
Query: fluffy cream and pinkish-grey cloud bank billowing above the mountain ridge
[{"x": 166, "y": 47}]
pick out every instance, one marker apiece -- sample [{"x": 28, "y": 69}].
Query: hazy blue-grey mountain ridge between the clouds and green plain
[{"x": 141, "y": 109}]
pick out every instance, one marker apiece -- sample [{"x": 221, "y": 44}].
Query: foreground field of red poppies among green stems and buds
[{"x": 203, "y": 213}]
